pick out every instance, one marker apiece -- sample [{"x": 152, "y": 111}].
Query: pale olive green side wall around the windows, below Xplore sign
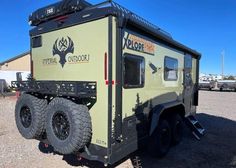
[{"x": 155, "y": 90}]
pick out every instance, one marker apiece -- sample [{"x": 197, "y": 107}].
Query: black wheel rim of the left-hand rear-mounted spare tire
[{"x": 25, "y": 116}]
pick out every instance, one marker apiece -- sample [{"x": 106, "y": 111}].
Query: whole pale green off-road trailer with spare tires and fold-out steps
[{"x": 104, "y": 79}]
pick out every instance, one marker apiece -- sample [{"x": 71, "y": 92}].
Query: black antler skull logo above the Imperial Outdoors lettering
[{"x": 63, "y": 47}]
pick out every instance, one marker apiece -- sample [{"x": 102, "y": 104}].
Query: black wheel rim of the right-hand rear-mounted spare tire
[{"x": 61, "y": 125}]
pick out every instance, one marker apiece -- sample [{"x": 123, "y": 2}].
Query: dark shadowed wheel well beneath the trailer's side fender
[{"x": 179, "y": 109}]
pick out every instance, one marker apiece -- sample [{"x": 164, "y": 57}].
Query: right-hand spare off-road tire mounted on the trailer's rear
[{"x": 79, "y": 121}]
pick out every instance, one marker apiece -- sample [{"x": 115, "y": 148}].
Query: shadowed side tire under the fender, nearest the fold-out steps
[{"x": 177, "y": 127}]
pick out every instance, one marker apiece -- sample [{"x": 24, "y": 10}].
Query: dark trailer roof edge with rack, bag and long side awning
[{"x": 109, "y": 8}]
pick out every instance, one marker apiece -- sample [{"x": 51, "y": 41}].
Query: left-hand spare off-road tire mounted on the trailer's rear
[{"x": 36, "y": 107}]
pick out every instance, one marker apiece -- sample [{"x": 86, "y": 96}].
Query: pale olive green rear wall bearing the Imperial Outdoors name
[{"x": 86, "y": 63}]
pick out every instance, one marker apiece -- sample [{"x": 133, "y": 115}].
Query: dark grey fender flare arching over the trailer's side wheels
[{"x": 158, "y": 110}]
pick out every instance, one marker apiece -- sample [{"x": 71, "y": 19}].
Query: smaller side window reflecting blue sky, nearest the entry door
[{"x": 171, "y": 69}]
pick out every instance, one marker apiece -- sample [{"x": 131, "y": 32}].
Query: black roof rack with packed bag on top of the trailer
[{"x": 70, "y": 6}]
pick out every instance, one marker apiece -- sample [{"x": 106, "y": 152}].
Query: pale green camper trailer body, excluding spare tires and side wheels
[{"x": 128, "y": 73}]
